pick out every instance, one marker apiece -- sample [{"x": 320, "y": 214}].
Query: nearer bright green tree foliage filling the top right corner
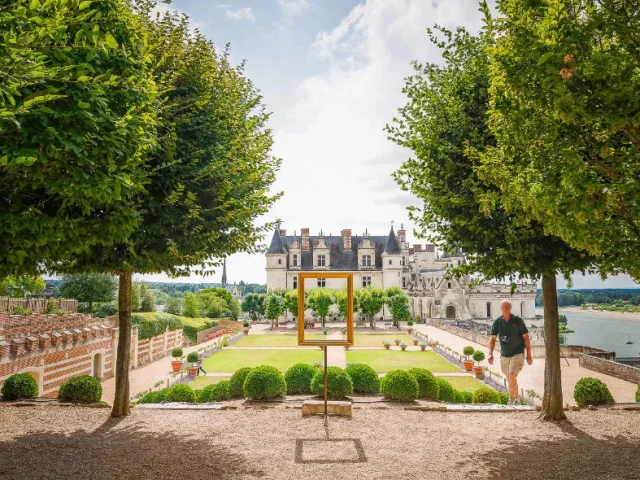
[{"x": 564, "y": 89}]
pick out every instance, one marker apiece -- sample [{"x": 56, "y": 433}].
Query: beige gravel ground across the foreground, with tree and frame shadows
[{"x": 275, "y": 442}]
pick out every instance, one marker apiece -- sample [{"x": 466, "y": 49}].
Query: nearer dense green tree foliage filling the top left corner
[{"x": 76, "y": 117}]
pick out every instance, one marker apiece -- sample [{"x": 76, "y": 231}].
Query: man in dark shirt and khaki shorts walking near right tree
[{"x": 514, "y": 339}]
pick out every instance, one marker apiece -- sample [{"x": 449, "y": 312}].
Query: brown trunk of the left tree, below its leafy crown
[{"x": 121, "y": 400}]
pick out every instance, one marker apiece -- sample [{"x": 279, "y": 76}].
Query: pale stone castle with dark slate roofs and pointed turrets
[{"x": 387, "y": 260}]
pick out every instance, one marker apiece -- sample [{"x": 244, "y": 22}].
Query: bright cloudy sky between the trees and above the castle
[{"x": 331, "y": 72}]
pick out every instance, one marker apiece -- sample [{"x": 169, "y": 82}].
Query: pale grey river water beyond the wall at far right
[{"x": 602, "y": 331}]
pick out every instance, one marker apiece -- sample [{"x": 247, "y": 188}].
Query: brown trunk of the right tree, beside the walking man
[{"x": 552, "y": 408}]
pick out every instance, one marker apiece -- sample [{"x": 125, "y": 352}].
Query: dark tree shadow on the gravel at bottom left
[{"x": 114, "y": 452}]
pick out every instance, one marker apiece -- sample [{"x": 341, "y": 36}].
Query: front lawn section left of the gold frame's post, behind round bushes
[{"x": 228, "y": 361}]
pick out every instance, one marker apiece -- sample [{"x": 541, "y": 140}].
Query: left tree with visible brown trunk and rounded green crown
[{"x": 208, "y": 179}]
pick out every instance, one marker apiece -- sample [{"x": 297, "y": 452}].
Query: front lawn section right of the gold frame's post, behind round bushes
[{"x": 384, "y": 360}]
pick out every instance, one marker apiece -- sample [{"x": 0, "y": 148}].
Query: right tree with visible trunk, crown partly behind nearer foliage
[{"x": 445, "y": 124}]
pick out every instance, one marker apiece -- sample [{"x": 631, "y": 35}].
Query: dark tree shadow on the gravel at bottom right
[{"x": 580, "y": 456}]
